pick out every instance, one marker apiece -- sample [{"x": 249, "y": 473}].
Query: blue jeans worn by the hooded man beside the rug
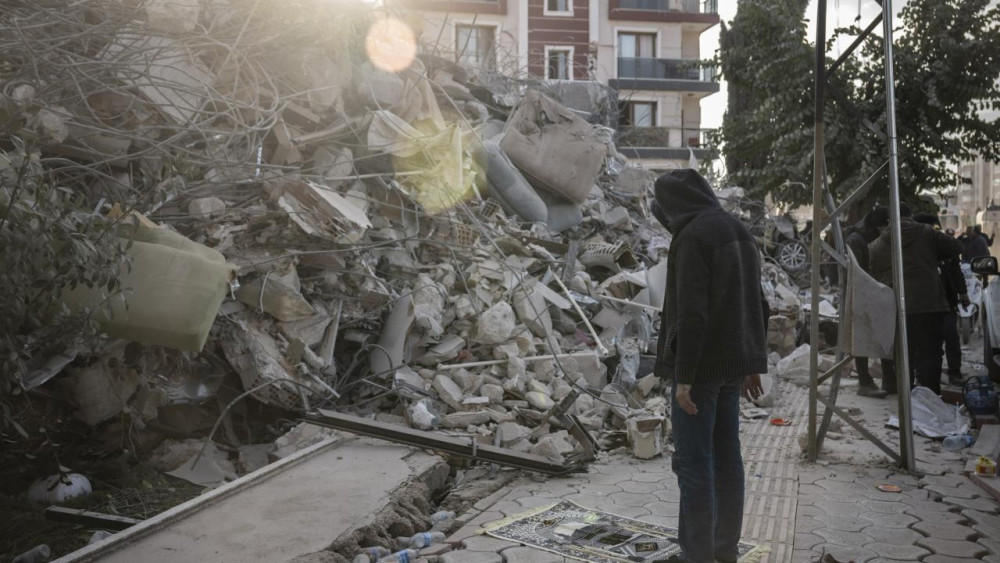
[{"x": 709, "y": 469}]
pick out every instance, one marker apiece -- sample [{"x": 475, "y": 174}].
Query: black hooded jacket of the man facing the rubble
[{"x": 715, "y": 315}]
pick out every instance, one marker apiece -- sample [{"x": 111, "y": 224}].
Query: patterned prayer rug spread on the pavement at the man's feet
[{"x": 570, "y": 530}]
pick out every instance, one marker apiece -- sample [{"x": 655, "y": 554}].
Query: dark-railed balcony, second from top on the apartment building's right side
[{"x": 665, "y": 74}]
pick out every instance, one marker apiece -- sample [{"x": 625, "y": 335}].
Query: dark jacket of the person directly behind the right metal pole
[{"x": 923, "y": 250}]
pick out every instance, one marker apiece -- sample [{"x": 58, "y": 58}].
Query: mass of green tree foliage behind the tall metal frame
[{"x": 947, "y": 65}]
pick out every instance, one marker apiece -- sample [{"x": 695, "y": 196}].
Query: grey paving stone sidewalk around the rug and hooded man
[{"x": 801, "y": 511}]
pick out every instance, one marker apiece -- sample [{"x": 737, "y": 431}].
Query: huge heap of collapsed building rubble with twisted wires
[{"x": 318, "y": 213}]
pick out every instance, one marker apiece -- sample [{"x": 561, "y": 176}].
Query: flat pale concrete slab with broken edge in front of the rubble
[{"x": 298, "y": 510}]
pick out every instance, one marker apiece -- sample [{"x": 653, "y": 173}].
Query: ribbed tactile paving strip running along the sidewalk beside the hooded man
[{"x": 770, "y": 459}]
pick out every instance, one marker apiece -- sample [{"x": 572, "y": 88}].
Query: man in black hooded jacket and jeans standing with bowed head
[{"x": 712, "y": 345}]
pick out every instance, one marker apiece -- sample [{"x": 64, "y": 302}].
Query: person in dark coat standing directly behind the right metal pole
[{"x": 926, "y": 300}]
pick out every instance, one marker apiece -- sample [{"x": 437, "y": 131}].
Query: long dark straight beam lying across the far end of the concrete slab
[{"x": 456, "y": 446}]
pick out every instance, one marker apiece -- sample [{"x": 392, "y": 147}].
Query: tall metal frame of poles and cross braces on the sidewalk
[{"x": 822, "y": 196}]
